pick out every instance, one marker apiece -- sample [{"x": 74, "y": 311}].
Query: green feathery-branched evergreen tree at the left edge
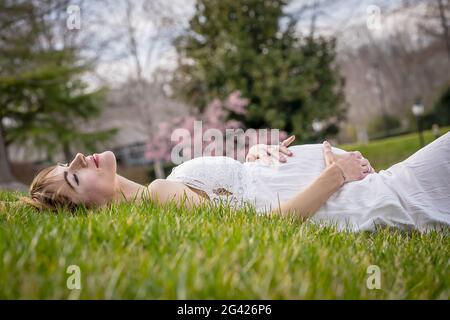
[{"x": 42, "y": 95}]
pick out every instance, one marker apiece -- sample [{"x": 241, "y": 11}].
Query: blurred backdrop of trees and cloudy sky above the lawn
[{"x": 87, "y": 76}]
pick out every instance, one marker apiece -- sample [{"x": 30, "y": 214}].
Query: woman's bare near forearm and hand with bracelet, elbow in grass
[{"x": 347, "y": 168}]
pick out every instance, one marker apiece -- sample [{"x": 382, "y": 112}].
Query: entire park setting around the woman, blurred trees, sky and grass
[{"x": 85, "y": 76}]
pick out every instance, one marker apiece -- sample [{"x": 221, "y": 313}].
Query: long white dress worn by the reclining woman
[{"x": 413, "y": 194}]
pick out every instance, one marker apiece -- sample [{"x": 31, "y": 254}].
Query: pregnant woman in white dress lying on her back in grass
[{"x": 319, "y": 182}]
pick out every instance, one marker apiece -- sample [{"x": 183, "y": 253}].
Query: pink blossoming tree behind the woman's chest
[{"x": 216, "y": 116}]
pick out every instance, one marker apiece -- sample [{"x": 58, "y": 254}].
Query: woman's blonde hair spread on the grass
[{"x": 45, "y": 192}]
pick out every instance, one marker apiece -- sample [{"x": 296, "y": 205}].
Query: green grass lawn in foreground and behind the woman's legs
[{"x": 156, "y": 252}]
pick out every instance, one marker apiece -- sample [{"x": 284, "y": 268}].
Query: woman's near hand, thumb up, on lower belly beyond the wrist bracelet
[{"x": 353, "y": 166}]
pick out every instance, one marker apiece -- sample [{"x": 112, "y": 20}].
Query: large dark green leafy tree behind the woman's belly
[{"x": 252, "y": 46}]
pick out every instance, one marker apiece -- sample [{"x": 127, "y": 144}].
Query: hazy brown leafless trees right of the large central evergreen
[{"x": 387, "y": 67}]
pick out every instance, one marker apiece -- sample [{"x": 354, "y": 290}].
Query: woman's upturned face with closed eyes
[{"x": 91, "y": 179}]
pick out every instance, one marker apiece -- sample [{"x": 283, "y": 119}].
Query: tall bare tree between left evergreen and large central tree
[{"x": 146, "y": 26}]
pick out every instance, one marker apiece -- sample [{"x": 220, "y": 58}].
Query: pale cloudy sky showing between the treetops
[{"x": 336, "y": 18}]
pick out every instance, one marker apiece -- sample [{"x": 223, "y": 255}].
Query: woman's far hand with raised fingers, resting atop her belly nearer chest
[{"x": 270, "y": 153}]
